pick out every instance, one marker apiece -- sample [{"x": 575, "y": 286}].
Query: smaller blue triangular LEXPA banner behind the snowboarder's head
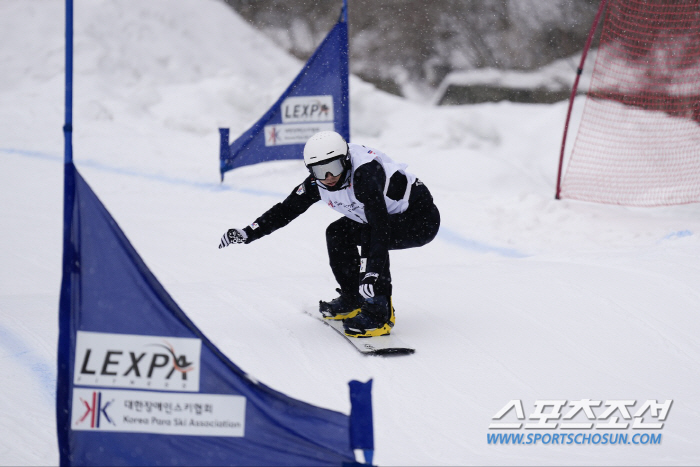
[{"x": 317, "y": 100}]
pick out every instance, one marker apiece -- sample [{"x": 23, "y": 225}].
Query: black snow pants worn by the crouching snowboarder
[{"x": 415, "y": 227}]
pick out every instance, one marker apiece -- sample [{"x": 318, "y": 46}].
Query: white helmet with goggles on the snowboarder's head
[{"x": 326, "y": 151}]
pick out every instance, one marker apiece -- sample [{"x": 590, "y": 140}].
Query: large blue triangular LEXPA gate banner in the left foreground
[{"x": 139, "y": 384}]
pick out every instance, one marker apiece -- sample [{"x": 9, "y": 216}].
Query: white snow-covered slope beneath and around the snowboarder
[{"x": 519, "y": 297}]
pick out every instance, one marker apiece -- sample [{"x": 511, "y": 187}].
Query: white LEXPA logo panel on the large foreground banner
[{"x": 133, "y": 361}]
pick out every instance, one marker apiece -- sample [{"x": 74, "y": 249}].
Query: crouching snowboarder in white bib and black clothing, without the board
[{"x": 385, "y": 208}]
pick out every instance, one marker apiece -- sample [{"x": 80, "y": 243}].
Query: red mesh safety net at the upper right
[{"x": 638, "y": 143}]
